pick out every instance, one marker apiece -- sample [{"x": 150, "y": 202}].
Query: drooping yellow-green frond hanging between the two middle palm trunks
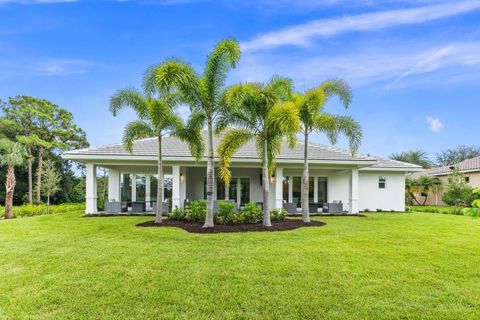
[{"x": 231, "y": 142}]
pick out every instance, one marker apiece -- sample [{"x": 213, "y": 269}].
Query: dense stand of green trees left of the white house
[{"x": 33, "y": 133}]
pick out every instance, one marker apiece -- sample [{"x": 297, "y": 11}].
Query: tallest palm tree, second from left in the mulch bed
[{"x": 203, "y": 93}]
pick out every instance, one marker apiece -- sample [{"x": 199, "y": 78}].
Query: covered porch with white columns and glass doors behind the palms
[{"x": 133, "y": 188}]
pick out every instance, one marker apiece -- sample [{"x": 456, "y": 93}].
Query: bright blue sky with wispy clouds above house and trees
[{"x": 414, "y": 66}]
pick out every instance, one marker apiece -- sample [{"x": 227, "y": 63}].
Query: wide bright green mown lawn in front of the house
[{"x": 388, "y": 265}]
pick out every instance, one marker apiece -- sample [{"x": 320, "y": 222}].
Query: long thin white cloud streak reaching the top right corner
[{"x": 302, "y": 35}]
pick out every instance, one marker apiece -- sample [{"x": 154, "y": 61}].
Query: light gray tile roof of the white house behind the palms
[{"x": 174, "y": 147}]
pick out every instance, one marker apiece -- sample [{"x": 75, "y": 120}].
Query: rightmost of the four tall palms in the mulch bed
[{"x": 314, "y": 119}]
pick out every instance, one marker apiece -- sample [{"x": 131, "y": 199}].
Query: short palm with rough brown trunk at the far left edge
[{"x": 12, "y": 154}]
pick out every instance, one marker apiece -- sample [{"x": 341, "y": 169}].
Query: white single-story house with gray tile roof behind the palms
[{"x": 360, "y": 182}]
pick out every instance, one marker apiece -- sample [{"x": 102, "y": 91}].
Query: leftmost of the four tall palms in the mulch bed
[{"x": 156, "y": 118}]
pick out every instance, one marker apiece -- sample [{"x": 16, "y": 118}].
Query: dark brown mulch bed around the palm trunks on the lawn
[{"x": 195, "y": 227}]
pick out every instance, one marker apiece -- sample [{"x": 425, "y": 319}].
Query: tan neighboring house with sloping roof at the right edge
[{"x": 470, "y": 168}]
